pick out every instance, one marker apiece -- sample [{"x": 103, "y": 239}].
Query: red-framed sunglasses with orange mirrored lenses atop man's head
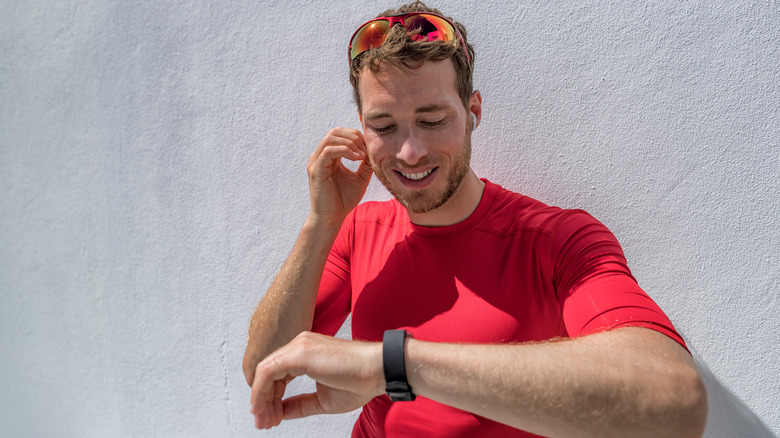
[{"x": 420, "y": 26}]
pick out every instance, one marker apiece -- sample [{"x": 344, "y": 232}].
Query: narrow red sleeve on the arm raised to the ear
[{"x": 335, "y": 291}]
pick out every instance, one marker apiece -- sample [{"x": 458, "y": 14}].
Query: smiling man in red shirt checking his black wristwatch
[{"x": 521, "y": 319}]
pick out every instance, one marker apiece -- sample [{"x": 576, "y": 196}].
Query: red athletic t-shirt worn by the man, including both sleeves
[{"x": 516, "y": 270}]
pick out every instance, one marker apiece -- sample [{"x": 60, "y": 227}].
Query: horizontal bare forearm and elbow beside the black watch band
[{"x": 609, "y": 384}]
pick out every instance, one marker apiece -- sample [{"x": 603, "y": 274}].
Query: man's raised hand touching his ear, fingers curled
[{"x": 334, "y": 189}]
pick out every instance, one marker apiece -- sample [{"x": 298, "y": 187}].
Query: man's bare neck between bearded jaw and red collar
[{"x": 459, "y": 207}]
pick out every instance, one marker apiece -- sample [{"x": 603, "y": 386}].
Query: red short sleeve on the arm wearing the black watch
[{"x": 594, "y": 284}]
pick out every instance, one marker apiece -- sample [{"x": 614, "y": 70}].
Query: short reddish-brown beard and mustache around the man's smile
[{"x": 423, "y": 201}]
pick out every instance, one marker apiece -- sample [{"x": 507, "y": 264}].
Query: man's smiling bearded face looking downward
[{"x": 415, "y": 128}]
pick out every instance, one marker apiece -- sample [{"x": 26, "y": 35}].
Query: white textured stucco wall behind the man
[{"x": 152, "y": 181}]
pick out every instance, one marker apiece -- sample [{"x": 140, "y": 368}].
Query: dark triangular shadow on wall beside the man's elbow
[{"x": 728, "y": 416}]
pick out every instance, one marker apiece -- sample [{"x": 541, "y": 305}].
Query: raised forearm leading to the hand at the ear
[{"x": 287, "y": 308}]
